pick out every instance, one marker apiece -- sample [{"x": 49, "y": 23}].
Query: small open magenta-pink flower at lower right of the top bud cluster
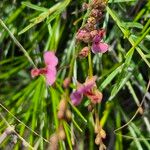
[{"x": 98, "y": 46}]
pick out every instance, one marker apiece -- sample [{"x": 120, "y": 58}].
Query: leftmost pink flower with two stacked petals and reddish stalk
[{"x": 49, "y": 71}]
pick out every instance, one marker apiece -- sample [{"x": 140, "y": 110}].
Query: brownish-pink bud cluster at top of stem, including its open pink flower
[{"x": 90, "y": 33}]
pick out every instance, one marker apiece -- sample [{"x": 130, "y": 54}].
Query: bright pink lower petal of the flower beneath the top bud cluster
[{"x": 99, "y": 47}]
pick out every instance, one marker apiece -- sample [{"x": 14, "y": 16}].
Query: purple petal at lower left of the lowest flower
[{"x": 76, "y": 97}]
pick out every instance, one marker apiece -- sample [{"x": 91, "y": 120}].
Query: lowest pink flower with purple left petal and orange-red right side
[{"x": 87, "y": 89}]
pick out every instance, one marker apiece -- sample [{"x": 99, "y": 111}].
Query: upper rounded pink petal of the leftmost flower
[{"x": 50, "y": 59}]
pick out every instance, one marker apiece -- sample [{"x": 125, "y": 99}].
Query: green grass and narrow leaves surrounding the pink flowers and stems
[{"x": 28, "y": 28}]
